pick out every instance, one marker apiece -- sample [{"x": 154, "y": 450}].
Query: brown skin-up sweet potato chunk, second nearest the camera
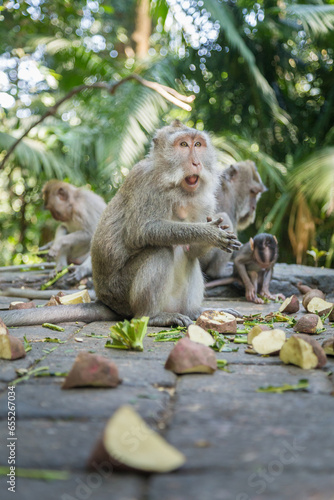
[{"x": 92, "y": 370}]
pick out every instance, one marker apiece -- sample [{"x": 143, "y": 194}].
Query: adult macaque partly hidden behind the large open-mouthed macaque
[{"x": 239, "y": 191}]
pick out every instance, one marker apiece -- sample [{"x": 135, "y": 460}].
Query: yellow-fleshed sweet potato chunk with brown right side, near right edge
[{"x": 302, "y": 350}]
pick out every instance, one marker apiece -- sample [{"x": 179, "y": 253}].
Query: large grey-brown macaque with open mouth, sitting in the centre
[{"x": 146, "y": 248}]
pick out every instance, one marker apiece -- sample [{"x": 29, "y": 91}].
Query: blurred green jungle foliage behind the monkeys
[{"x": 262, "y": 74}]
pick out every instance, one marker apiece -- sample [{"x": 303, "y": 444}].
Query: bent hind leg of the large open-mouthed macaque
[{"x": 160, "y": 287}]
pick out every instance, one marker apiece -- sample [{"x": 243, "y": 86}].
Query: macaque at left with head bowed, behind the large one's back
[{"x": 79, "y": 211}]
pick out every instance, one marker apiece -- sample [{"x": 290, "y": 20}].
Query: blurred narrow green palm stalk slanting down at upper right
[{"x": 221, "y": 13}]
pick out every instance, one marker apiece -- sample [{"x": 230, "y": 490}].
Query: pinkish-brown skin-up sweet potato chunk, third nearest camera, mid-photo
[{"x": 191, "y": 357}]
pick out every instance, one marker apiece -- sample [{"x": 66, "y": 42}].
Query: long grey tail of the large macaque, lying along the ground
[{"x": 59, "y": 314}]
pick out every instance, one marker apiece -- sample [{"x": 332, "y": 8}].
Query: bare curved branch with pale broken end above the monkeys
[{"x": 167, "y": 92}]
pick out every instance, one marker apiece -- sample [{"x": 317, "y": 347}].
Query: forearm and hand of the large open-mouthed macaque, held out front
[{"x": 167, "y": 233}]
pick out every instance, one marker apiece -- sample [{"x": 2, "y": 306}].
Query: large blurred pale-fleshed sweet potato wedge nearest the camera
[{"x": 129, "y": 443}]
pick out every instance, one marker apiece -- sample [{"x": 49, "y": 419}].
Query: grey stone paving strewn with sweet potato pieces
[{"x": 239, "y": 444}]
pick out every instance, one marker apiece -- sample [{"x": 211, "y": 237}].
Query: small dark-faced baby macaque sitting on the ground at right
[{"x": 253, "y": 267}]
